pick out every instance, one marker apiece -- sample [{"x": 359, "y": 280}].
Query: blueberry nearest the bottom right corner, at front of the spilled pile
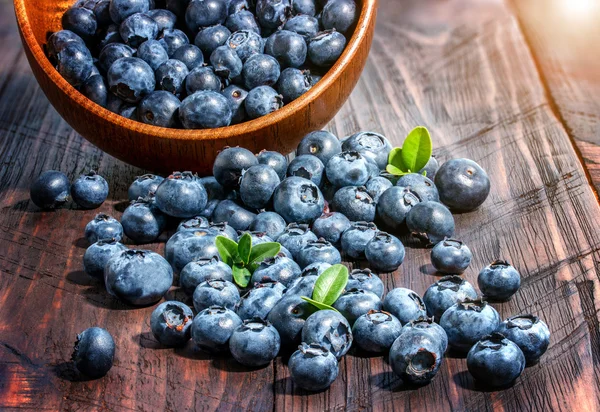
[{"x": 495, "y": 361}]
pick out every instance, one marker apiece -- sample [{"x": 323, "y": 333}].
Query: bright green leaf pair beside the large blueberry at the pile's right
[{"x": 414, "y": 154}]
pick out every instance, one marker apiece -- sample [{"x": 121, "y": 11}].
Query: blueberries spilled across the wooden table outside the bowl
[{"x": 272, "y": 202}]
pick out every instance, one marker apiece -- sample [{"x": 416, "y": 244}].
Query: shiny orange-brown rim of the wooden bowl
[{"x": 368, "y": 12}]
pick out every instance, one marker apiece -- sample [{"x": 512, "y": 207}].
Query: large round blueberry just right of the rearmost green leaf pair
[{"x": 463, "y": 184}]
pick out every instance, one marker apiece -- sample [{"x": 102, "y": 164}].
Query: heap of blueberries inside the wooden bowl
[{"x": 248, "y": 57}]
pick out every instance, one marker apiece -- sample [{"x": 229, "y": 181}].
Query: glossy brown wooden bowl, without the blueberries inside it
[{"x": 165, "y": 150}]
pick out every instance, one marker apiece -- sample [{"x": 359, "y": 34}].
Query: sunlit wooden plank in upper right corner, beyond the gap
[{"x": 564, "y": 37}]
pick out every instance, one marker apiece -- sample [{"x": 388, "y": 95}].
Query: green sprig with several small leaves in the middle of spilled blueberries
[{"x": 243, "y": 257}]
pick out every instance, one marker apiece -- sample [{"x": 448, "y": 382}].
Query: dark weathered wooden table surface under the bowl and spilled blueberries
[{"x": 515, "y": 86}]
